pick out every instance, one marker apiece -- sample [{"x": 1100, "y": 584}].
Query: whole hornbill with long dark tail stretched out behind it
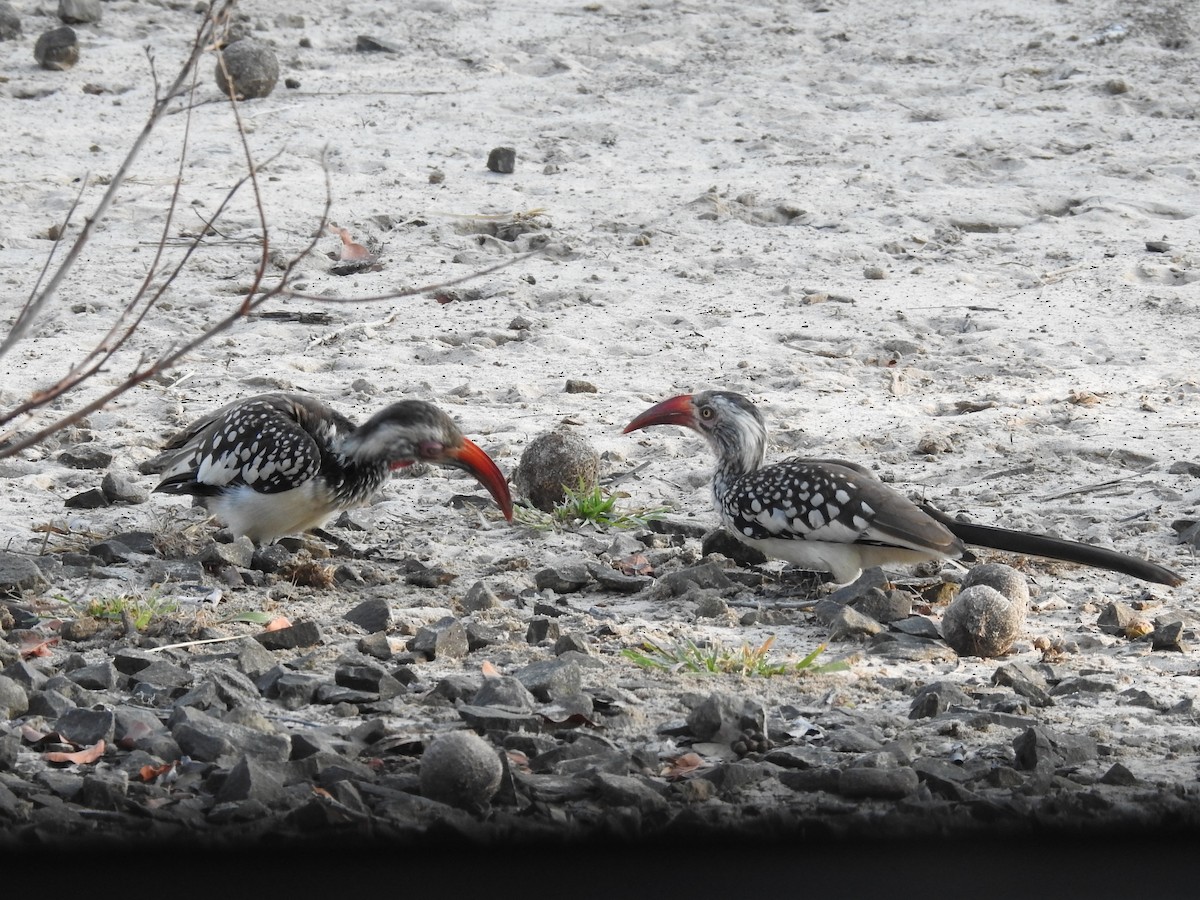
[{"x": 836, "y": 517}]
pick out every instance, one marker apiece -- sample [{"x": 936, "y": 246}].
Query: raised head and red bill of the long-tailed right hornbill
[{"x": 730, "y": 423}]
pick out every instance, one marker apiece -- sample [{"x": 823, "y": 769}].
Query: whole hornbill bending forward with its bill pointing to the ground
[{"x": 280, "y": 464}]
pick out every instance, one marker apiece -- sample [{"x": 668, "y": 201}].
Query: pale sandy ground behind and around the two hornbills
[{"x": 917, "y": 239}]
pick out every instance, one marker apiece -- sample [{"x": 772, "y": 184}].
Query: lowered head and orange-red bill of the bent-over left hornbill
[{"x": 415, "y": 431}]
